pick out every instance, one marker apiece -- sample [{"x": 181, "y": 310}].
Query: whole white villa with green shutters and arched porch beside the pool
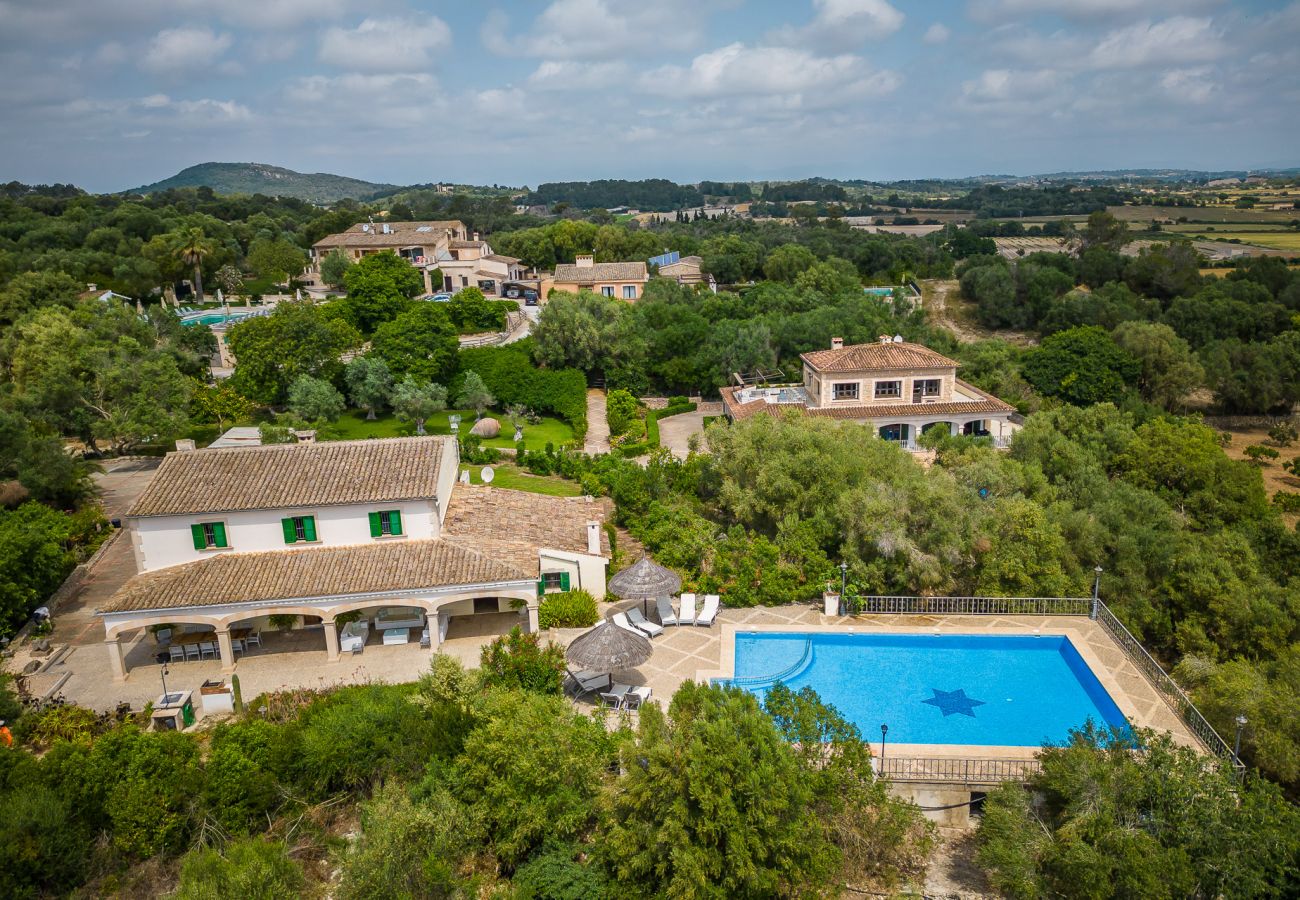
[{"x": 226, "y": 539}]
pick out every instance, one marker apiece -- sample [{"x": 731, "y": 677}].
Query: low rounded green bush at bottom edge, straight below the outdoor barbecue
[{"x": 252, "y": 869}]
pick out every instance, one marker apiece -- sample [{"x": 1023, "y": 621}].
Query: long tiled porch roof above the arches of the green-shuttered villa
[{"x": 246, "y": 578}]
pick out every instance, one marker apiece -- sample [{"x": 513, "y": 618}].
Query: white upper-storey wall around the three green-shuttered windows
[{"x": 162, "y": 542}]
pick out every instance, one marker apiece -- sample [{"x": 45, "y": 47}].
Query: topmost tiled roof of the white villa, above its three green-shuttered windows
[{"x": 293, "y": 475}]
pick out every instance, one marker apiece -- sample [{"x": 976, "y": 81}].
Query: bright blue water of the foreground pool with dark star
[{"x": 1006, "y": 691}]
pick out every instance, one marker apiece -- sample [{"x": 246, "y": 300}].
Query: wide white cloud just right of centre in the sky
[{"x": 781, "y": 75}]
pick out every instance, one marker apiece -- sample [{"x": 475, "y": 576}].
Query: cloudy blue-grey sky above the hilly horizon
[{"x": 111, "y": 96}]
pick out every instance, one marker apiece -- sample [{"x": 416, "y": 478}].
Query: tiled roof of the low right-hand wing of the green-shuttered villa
[{"x": 518, "y": 525}]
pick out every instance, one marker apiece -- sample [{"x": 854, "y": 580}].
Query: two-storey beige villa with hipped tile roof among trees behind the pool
[{"x": 902, "y": 390}]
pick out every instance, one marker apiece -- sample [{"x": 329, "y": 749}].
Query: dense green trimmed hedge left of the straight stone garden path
[{"x": 513, "y": 379}]
